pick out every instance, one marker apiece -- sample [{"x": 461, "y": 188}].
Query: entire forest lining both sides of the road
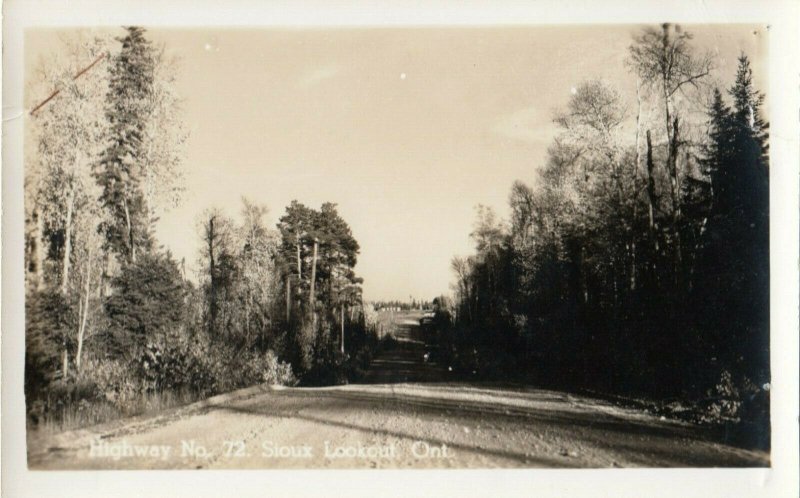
[{"x": 635, "y": 264}]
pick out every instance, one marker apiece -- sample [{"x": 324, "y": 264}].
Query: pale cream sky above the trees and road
[{"x": 405, "y": 129}]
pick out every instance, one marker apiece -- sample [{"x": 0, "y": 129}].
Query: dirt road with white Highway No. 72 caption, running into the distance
[{"x": 405, "y": 416}]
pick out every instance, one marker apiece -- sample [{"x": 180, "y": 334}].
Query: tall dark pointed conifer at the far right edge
[{"x": 734, "y": 290}]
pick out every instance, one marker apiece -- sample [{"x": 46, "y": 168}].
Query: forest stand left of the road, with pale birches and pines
[{"x": 114, "y": 325}]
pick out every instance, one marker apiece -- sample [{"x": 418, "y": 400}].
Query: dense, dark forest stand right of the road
[{"x": 638, "y": 262}]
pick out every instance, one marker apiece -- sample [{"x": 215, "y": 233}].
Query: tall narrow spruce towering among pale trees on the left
[{"x": 140, "y": 167}]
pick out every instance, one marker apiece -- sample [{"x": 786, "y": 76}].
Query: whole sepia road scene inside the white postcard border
[{"x": 397, "y": 247}]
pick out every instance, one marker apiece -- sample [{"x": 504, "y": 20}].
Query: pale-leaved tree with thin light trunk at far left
[{"x": 62, "y": 213}]
